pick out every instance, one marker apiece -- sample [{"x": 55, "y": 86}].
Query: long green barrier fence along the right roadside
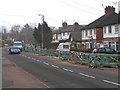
[{"x": 92, "y": 60}]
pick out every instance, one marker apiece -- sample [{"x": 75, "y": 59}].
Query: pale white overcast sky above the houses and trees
[{"x": 20, "y": 12}]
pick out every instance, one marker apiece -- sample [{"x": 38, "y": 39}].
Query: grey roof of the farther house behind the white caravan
[{"x": 69, "y": 28}]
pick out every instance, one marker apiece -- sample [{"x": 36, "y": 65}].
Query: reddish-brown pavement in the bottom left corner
[{"x": 16, "y": 77}]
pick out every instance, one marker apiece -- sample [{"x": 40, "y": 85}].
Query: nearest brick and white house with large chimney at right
[{"x": 103, "y": 32}]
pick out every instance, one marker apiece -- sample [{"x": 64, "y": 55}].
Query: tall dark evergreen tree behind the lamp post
[{"x": 47, "y": 35}]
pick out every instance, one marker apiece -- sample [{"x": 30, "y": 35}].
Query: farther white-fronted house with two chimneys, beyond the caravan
[{"x": 67, "y": 33}]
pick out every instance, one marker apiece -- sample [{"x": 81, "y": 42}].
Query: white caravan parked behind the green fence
[{"x": 64, "y": 46}]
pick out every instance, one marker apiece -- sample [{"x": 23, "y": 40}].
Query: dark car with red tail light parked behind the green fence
[{"x": 104, "y": 50}]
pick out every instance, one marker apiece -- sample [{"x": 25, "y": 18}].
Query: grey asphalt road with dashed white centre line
[{"x": 60, "y": 75}]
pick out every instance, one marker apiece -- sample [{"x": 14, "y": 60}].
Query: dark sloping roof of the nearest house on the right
[{"x": 109, "y": 19}]
